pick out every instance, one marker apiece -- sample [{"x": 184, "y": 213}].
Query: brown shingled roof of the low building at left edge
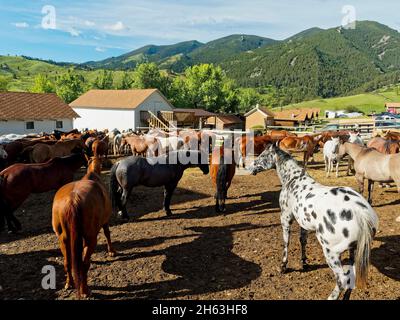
[{"x": 33, "y": 106}]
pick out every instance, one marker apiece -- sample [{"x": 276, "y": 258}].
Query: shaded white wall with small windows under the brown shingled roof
[{"x": 19, "y": 127}]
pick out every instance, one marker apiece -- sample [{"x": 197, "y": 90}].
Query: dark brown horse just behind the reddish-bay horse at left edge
[{"x": 40, "y": 153}]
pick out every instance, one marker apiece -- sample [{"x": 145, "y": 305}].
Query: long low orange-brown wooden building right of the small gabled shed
[{"x": 295, "y": 117}]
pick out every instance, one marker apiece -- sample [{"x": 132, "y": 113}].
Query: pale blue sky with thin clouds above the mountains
[{"x": 94, "y": 30}]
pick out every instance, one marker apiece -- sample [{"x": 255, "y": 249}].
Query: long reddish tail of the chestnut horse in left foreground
[{"x": 73, "y": 223}]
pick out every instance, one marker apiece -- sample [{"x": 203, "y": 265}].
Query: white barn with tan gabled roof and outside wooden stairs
[{"x": 122, "y": 109}]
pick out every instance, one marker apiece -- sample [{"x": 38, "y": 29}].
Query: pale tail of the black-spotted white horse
[{"x": 368, "y": 223}]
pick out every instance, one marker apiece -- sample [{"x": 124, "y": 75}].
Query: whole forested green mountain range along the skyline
[{"x": 313, "y": 63}]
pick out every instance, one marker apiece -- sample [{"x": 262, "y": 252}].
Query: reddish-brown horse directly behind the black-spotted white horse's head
[{"x": 257, "y": 144}]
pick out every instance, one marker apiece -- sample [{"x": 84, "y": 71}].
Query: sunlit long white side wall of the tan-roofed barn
[{"x": 102, "y": 118}]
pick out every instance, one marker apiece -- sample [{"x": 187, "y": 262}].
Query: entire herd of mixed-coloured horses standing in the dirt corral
[{"x": 82, "y": 208}]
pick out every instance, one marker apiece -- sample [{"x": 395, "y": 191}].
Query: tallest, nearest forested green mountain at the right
[{"x": 324, "y": 63}]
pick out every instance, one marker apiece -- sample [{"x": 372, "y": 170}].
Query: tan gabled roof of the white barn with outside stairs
[{"x": 116, "y": 99}]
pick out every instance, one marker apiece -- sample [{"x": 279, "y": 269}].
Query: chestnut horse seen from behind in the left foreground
[{"x": 80, "y": 210}]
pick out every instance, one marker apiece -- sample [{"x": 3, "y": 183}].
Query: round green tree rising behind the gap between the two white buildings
[{"x": 70, "y": 86}]
